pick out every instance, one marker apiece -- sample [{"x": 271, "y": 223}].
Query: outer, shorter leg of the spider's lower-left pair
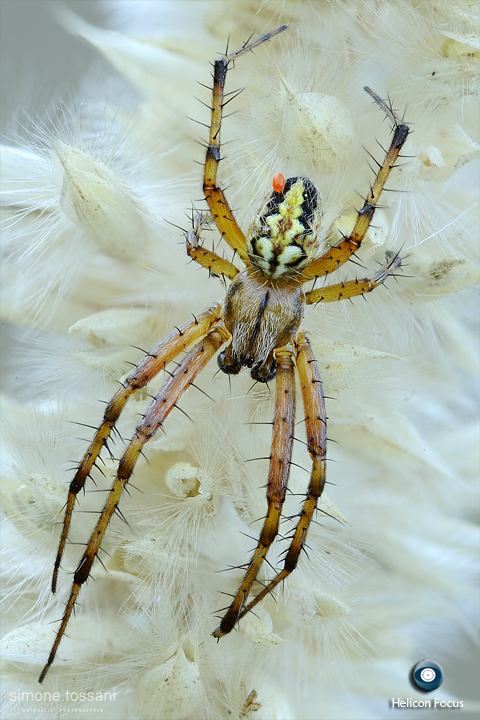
[{"x": 145, "y": 371}]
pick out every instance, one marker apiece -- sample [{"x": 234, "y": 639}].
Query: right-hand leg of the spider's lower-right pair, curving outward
[{"x": 316, "y": 428}]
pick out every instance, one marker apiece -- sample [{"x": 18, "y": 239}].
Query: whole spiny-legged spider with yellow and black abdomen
[{"x": 259, "y": 325}]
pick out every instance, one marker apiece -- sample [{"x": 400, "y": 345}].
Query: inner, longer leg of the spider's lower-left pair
[{"x": 170, "y": 392}]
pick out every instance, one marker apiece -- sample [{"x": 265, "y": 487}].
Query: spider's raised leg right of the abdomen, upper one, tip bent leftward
[{"x": 342, "y": 251}]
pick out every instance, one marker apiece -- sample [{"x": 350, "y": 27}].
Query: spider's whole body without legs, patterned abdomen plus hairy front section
[{"x": 265, "y": 304}]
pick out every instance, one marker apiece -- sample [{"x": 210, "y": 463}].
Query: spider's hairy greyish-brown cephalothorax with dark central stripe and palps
[{"x": 261, "y": 316}]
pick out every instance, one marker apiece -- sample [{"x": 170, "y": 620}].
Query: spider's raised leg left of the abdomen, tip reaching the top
[{"x": 219, "y": 207}]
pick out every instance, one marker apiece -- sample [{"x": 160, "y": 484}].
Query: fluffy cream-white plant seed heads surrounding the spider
[{"x": 94, "y": 269}]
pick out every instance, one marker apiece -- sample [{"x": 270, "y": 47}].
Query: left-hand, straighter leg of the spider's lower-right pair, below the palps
[{"x": 279, "y": 470}]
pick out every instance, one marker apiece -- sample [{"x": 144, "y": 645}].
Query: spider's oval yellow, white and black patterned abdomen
[{"x": 284, "y": 236}]
